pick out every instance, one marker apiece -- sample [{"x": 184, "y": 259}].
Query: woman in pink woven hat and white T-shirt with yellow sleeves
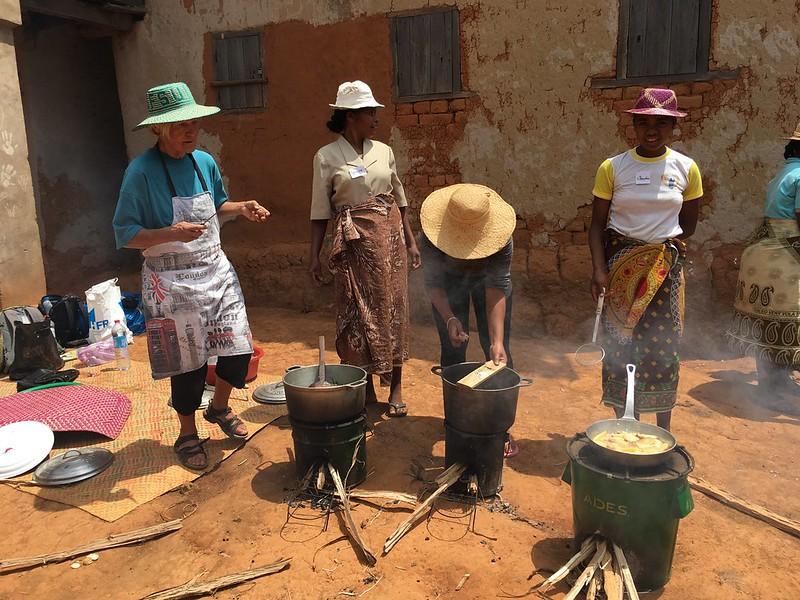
[{"x": 646, "y": 202}]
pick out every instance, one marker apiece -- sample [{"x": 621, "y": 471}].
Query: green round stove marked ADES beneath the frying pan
[{"x": 639, "y": 511}]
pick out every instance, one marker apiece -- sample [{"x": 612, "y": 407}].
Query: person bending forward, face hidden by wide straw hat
[{"x": 467, "y": 247}]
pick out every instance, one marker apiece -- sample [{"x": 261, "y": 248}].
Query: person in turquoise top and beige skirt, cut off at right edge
[{"x": 766, "y": 321}]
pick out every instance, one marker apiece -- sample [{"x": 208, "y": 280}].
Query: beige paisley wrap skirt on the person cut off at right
[{"x": 766, "y": 321}]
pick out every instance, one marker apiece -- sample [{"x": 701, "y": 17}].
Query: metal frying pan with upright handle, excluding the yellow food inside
[{"x": 629, "y": 424}]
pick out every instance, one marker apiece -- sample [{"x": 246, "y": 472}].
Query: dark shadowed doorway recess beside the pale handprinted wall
[{"x": 77, "y": 150}]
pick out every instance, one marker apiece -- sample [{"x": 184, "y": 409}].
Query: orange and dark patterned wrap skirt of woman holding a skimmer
[{"x": 643, "y": 321}]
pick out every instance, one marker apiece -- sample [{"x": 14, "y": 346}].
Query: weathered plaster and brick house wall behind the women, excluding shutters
[{"x": 534, "y": 129}]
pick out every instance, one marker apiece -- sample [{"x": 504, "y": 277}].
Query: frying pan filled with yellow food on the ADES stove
[{"x": 628, "y": 442}]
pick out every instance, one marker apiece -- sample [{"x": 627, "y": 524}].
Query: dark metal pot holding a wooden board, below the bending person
[{"x": 490, "y": 407}]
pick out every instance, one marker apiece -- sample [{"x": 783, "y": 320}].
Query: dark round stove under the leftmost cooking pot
[{"x": 335, "y": 444}]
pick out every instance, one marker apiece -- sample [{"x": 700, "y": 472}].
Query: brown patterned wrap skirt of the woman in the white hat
[{"x": 370, "y": 266}]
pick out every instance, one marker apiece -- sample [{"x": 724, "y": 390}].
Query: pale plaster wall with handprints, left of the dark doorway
[{"x": 21, "y": 270}]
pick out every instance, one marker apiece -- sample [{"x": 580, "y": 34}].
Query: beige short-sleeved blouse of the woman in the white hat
[{"x": 343, "y": 178}]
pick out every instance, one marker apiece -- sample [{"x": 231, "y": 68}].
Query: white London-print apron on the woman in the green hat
[{"x": 191, "y": 294}]
